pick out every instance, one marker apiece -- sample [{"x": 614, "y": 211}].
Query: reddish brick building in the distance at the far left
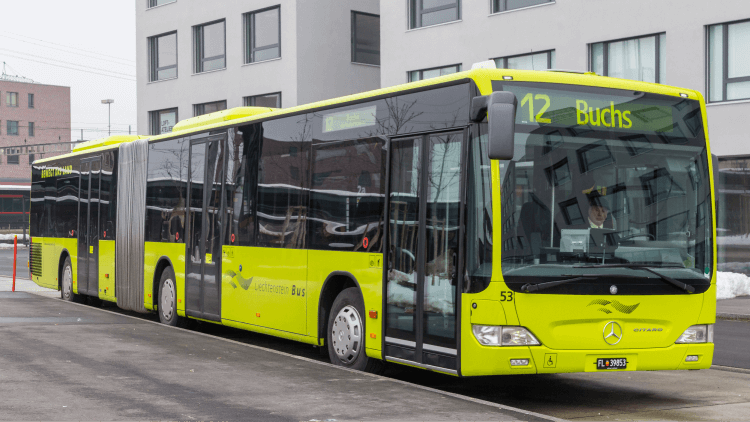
[{"x": 34, "y": 123}]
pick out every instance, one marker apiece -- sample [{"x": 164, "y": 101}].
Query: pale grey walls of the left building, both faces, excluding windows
[{"x": 315, "y": 61}]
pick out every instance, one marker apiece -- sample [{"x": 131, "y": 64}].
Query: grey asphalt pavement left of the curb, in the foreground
[{"x": 65, "y": 361}]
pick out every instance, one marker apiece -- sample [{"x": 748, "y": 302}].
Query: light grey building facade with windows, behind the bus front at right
[{"x": 702, "y": 45}]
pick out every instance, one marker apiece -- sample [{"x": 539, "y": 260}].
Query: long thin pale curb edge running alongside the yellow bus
[{"x": 332, "y": 366}]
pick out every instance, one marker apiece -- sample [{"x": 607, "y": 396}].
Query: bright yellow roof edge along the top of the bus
[{"x": 482, "y": 77}]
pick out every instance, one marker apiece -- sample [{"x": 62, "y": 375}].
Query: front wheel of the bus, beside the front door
[{"x": 346, "y": 333}]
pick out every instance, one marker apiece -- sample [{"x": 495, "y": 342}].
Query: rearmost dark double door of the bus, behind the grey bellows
[{"x": 88, "y": 226}]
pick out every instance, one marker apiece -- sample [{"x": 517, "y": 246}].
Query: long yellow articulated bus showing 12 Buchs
[{"x": 486, "y": 222}]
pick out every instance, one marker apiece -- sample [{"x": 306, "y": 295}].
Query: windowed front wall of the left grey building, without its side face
[{"x": 236, "y": 81}]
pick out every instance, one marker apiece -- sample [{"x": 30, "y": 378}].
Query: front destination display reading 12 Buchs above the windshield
[{"x": 560, "y": 108}]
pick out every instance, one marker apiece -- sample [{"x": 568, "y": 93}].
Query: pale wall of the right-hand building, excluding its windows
[{"x": 568, "y": 26}]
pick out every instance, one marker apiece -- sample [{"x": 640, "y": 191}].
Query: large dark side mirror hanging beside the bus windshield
[{"x": 501, "y": 115}]
